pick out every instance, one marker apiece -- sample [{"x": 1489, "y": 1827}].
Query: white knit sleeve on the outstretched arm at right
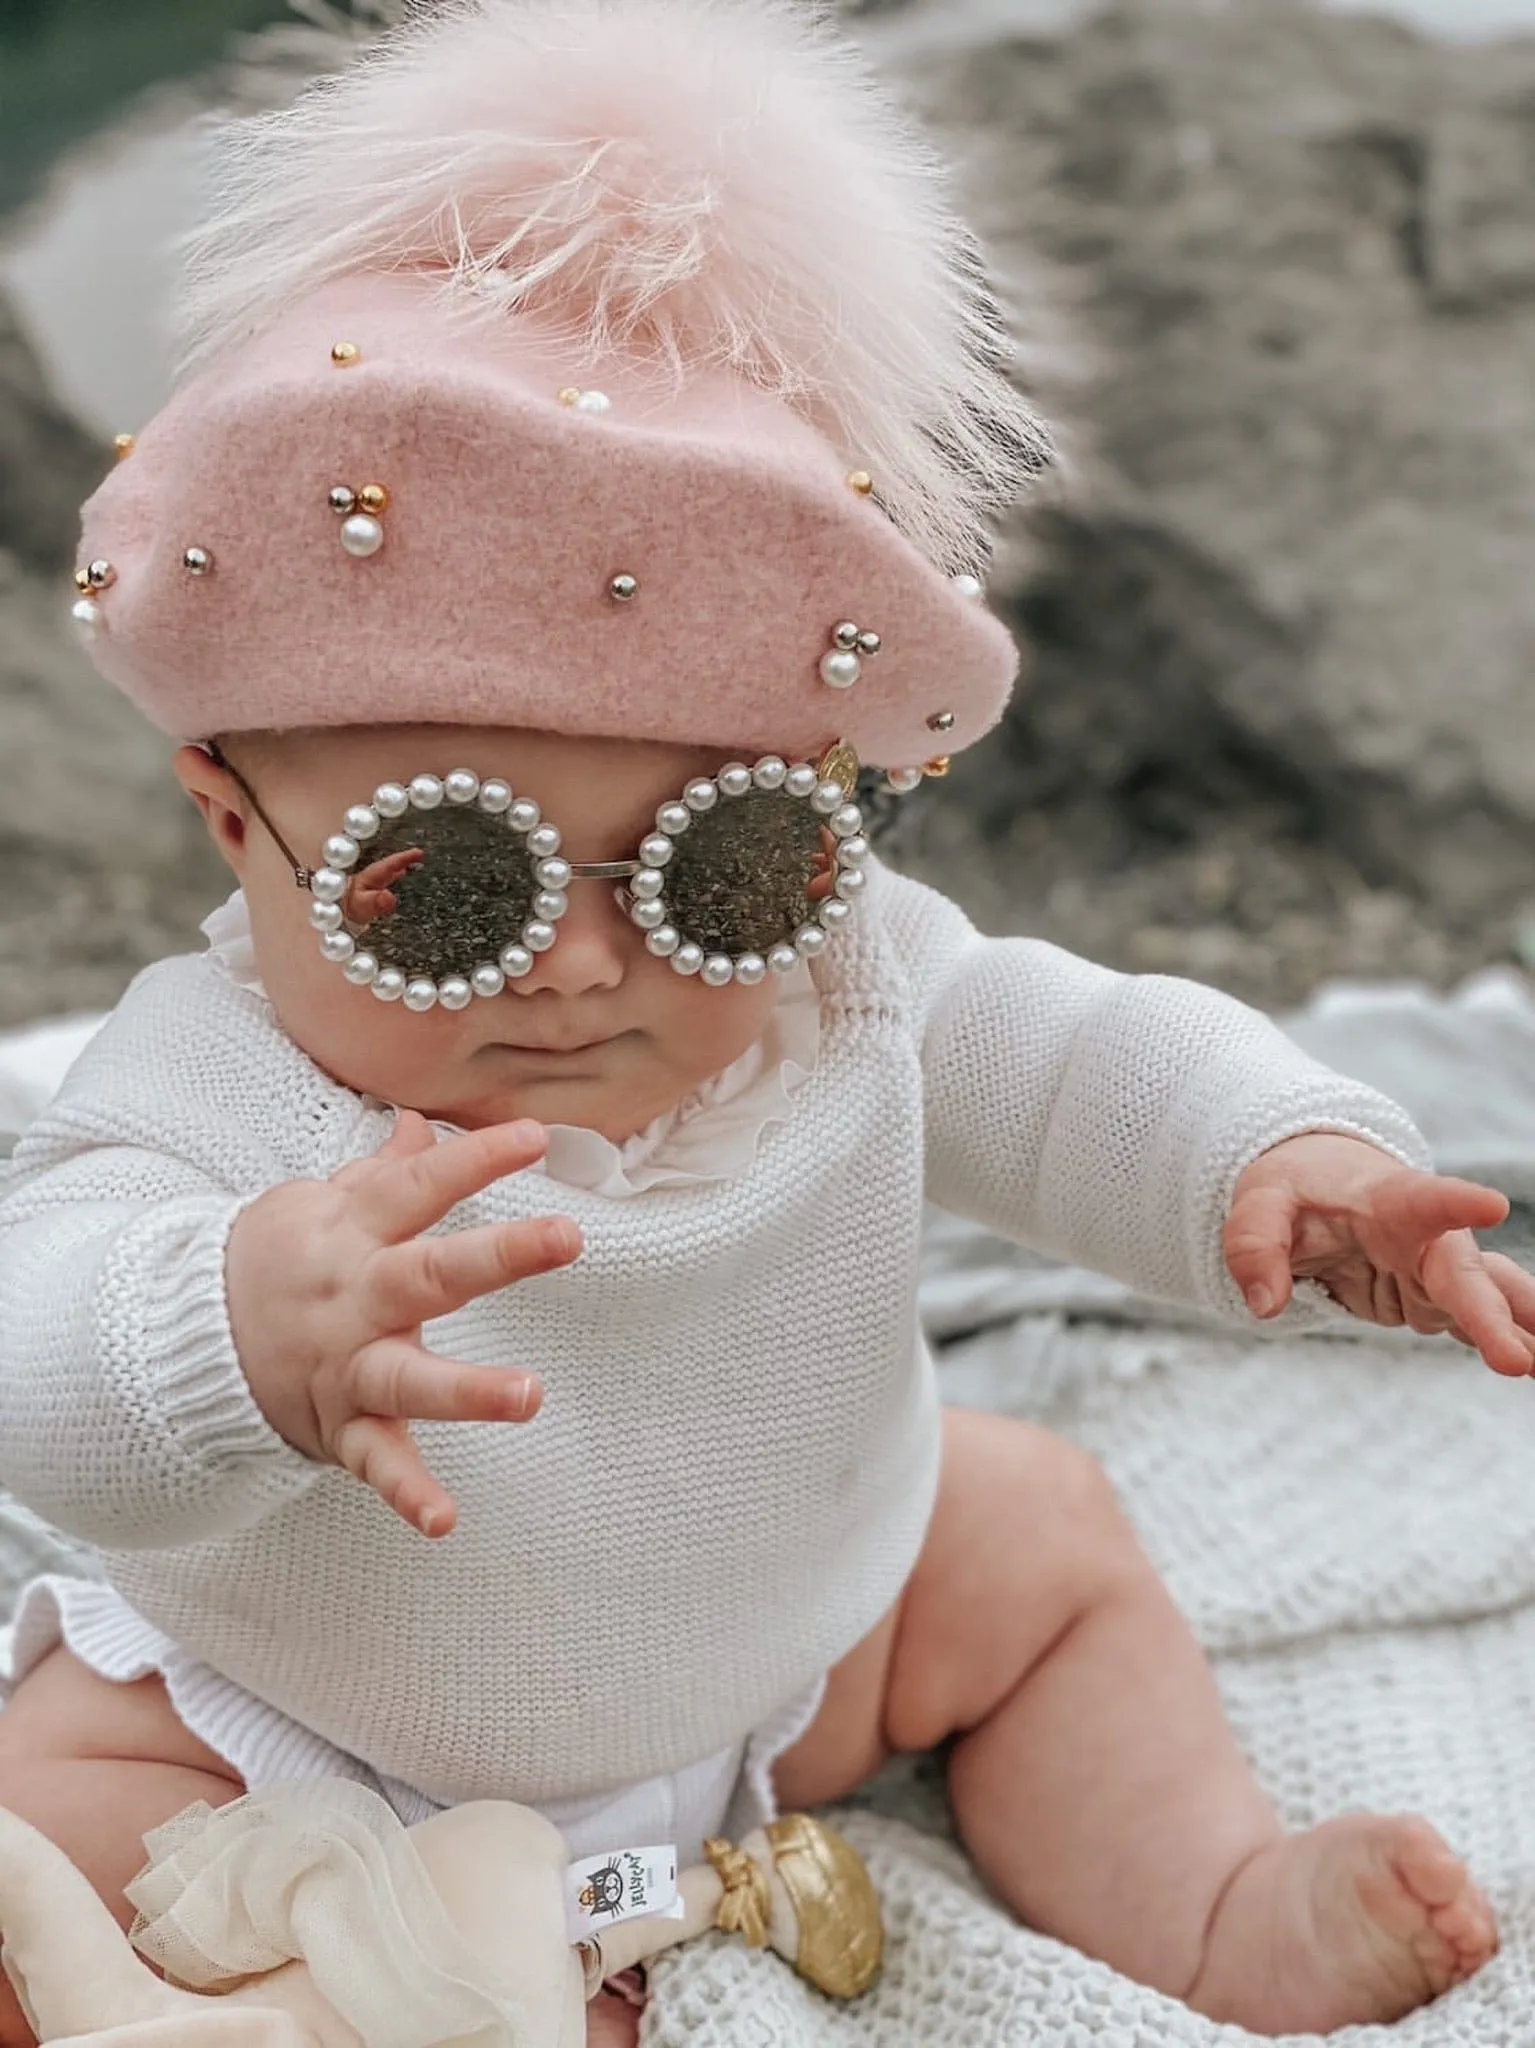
[{"x": 1108, "y": 1117}]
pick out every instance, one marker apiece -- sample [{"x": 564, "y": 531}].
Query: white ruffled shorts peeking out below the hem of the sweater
[{"x": 730, "y": 1793}]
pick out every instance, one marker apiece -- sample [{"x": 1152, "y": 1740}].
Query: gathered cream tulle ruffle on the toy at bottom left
[{"x": 326, "y": 1873}]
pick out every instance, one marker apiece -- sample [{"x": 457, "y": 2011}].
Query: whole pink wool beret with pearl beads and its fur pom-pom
[{"x": 611, "y": 368}]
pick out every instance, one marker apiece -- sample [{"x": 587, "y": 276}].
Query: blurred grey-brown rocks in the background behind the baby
[{"x": 1278, "y": 273}]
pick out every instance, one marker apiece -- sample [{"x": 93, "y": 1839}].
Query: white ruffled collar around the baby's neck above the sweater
[{"x": 711, "y": 1136}]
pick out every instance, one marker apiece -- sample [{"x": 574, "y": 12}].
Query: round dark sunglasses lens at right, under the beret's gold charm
[{"x": 740, "y": 878}]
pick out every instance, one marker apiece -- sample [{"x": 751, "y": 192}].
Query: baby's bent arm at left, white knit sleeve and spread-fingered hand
[{"x": 195, "y": 1326}]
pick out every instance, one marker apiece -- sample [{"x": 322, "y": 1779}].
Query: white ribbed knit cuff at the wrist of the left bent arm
[{"x": 167, "y": 1345}]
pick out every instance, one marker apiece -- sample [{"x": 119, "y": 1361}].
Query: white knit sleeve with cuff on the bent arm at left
[{"x": 124, "y": 1414}]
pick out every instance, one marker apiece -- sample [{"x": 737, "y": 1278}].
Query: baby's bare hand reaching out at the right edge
[{"x": 1391, "y": 1244}]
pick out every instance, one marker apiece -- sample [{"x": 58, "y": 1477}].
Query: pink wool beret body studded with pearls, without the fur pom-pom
[{"x": 642, "y": 562}]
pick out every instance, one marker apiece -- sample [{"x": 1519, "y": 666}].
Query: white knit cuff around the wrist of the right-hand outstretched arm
[{"x": 1311, "y": 1103}]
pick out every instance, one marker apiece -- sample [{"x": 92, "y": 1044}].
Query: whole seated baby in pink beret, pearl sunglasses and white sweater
[{"x": 472, "y": 1308}]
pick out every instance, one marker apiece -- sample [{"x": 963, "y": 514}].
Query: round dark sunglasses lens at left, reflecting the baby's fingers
[{"x": 439, "y": 892}]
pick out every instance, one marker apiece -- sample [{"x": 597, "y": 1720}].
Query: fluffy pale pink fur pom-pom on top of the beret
[{"x": 707, "y": 183}]
